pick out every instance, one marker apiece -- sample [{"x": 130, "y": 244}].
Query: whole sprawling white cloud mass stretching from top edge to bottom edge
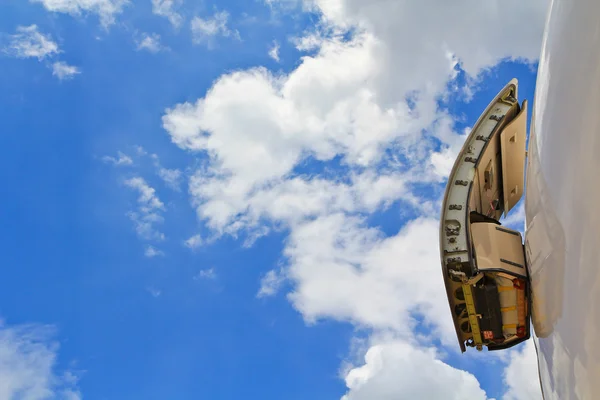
[{"x": 380, "y": 126}]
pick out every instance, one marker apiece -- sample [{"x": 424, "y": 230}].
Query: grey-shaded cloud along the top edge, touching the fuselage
[{"x": 395, "y": 24}]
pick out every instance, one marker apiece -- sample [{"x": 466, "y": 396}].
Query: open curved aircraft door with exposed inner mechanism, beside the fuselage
[{"x": 483, "y": 263}]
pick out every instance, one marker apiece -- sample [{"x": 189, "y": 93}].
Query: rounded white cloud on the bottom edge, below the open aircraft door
[{"x": 399, "y": 370}]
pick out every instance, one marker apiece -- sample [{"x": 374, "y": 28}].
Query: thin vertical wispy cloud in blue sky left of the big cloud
[{"x": 149, "y": 210}]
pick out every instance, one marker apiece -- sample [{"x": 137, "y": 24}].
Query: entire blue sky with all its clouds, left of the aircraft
[{"x": 189, "y": 213}]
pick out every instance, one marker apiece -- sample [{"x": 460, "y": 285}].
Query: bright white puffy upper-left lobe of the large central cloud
[{"x": 321, "y": 109}]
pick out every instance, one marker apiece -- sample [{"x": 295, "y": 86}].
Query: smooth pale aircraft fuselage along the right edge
[{"x": 562, "y": 240}]
